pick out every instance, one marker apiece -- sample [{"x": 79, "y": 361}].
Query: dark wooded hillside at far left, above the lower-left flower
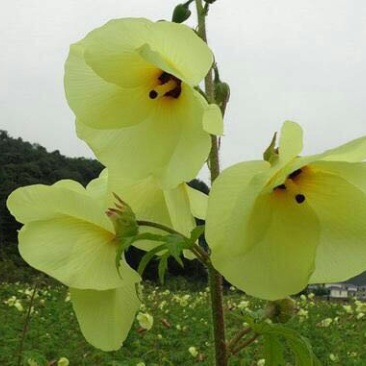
[{"x": 23, "y": 163}]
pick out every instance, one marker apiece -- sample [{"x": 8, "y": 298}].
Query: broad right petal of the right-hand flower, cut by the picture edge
[{"x": 341, "y": 208}]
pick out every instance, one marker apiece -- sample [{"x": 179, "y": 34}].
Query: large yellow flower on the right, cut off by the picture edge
[{"x": 274, "y": 226}]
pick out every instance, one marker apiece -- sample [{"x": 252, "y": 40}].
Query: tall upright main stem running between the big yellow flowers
[{"x": 214, "y": 277}]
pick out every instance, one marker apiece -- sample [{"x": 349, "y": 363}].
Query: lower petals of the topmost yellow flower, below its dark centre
[{"x": 171, "y": 145}]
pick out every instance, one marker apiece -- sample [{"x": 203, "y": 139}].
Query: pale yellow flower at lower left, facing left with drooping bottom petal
[{"x": 67, "y": 235}]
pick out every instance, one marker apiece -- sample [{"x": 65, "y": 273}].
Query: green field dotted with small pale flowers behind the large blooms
[{"x": 181, "y": 320}]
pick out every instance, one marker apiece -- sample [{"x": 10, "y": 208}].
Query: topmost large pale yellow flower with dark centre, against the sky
[{"x": 131, "y": 86}]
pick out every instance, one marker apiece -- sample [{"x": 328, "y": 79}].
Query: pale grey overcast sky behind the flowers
[{"x": 284, "y": 59}]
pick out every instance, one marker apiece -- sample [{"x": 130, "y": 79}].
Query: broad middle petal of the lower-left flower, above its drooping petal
[{"x": 75, "y": 252}]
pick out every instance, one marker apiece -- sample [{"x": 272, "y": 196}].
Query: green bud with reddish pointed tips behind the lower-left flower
[{"x": 123, "y": 219}]
